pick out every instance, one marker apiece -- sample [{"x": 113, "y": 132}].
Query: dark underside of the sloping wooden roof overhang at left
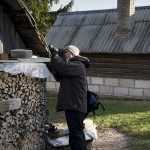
[{"x": 26, "y": 26}]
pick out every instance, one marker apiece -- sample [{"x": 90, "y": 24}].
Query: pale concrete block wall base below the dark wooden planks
[{"x": 112, "y": 87}]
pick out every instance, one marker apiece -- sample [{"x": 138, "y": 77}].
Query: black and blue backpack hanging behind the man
[{"x": 93, "y": 102}]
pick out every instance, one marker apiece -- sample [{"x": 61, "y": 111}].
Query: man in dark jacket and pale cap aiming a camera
[{"x": 72, "y": 97}]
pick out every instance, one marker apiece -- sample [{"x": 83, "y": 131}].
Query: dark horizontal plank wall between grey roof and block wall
[{"x": 119, "y": 66}]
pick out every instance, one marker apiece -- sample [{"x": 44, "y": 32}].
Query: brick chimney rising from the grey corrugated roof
[{"x": 125, "y": 18}]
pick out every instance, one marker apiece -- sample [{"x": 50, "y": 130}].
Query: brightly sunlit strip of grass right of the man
[{"x": 134, "y": 124}]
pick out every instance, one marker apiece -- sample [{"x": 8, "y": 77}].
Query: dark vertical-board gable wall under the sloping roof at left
[{"x": 9, "y": 37}]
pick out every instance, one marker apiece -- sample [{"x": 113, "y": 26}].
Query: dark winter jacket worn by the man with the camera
[{"x": 73, "y": 83}]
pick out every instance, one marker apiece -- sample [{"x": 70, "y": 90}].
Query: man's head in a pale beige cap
[{"x": 71, "y": 51}]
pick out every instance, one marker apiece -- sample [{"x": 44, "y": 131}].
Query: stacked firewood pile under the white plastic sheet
[{"x": 22, "y": 124}]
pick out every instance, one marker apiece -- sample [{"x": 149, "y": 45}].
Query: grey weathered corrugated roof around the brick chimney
[{"x": 95, "y": 32}]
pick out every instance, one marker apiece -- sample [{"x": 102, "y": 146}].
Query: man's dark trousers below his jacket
[{"x": 75, "y": 125}]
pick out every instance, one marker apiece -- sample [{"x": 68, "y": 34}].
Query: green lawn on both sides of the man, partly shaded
[{"x": 130, "y": 117}]
